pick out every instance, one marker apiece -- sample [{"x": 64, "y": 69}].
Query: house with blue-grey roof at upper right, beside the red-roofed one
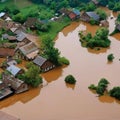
[{"x": 87, "y": 16}]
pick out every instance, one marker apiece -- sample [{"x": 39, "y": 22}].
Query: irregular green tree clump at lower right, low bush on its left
[{"x": 101, "y": 87}]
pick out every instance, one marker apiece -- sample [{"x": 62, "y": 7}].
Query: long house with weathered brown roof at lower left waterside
[{"x": 16, "y": 84}]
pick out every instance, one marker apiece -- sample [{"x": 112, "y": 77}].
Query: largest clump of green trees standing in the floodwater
[{"x": 99, "y": 40}]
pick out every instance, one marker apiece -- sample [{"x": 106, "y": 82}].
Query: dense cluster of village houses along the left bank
[{"x": 25, "y": 49}]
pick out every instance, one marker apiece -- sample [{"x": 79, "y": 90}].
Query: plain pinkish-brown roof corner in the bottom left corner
[{"x": 5, "y": 116}]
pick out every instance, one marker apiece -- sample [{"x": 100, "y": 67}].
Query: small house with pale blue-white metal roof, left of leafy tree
[{"x": 14, "y": 70}]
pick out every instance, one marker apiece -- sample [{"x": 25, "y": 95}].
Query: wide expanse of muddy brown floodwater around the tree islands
[{"x": 60, "y": 101}]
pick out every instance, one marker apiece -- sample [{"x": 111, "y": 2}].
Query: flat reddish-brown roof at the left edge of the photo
[{"x": 6, "y": 52}]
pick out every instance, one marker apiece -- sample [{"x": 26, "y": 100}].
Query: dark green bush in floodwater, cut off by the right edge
[{"x": 115, "y": 92}]
